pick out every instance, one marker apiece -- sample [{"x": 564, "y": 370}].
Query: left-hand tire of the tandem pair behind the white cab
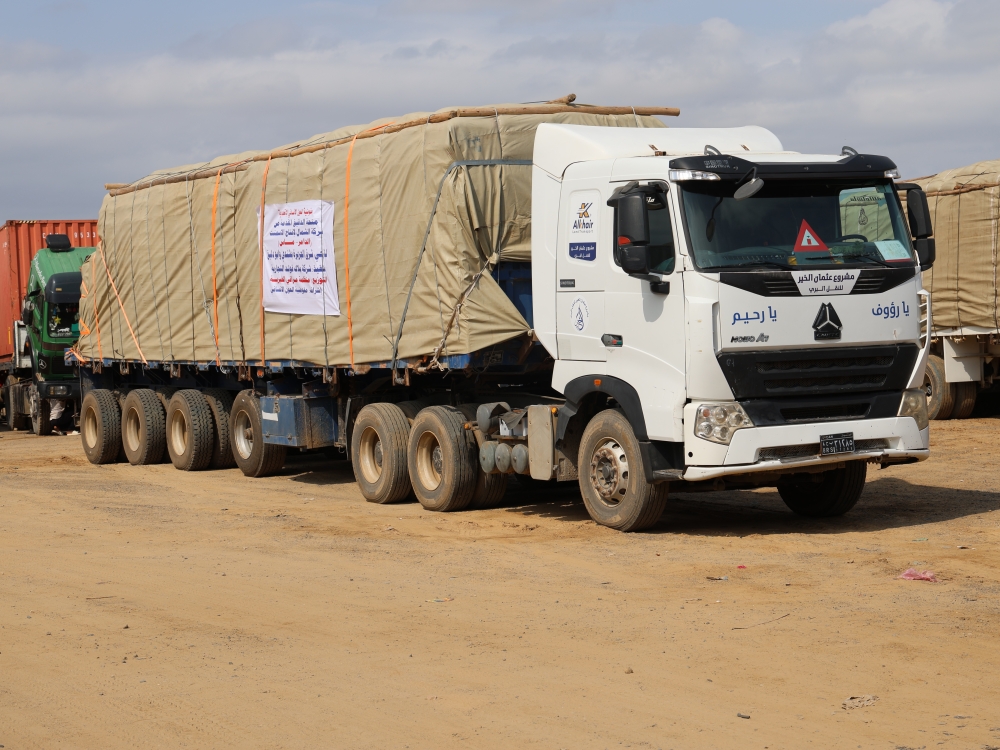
[{"x": 378, "y": 453}]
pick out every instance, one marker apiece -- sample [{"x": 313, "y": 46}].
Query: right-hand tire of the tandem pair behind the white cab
[{"x": 442, "y": 461}]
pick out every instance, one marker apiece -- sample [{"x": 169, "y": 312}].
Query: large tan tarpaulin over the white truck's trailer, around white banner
[{"x": 157, "y": 248}]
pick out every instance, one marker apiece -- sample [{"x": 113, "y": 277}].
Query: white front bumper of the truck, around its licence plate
[{"x": 790, "y": 447}]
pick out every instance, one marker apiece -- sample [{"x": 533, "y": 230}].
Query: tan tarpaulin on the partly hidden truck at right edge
[{"x": 965, "y": 211}]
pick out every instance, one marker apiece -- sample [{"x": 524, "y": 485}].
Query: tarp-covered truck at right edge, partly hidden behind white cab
[{"x": 965, "y": 321}]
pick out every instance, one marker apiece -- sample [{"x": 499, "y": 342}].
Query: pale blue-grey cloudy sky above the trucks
[{"x": 96, "y": 92}]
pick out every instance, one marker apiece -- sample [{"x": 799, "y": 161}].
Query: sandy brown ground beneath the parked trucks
[{"x": 146, "y": 607}]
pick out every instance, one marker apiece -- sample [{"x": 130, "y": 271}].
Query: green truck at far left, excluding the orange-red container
[{"x": 40, "y": 389}]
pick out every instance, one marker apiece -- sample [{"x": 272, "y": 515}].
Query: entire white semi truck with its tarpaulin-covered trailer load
[{"x": 631, "y": 308}]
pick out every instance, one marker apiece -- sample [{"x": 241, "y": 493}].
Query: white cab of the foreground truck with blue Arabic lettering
[{"x": 755, "y": 313}]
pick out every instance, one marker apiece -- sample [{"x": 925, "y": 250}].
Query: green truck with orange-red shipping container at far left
[{"x": 39, "y": 298}]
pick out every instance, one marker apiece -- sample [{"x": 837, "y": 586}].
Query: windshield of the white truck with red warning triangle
[{"x": 796, "y": 223}]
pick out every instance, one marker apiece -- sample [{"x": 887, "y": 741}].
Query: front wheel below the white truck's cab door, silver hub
[{"x": 612, "y": 480}]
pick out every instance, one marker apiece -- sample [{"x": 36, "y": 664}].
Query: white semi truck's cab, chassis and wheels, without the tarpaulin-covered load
[{"x": 707, "y": 311}]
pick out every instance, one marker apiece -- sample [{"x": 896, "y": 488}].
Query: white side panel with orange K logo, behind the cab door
[{"x": 584, "y": 248}]
